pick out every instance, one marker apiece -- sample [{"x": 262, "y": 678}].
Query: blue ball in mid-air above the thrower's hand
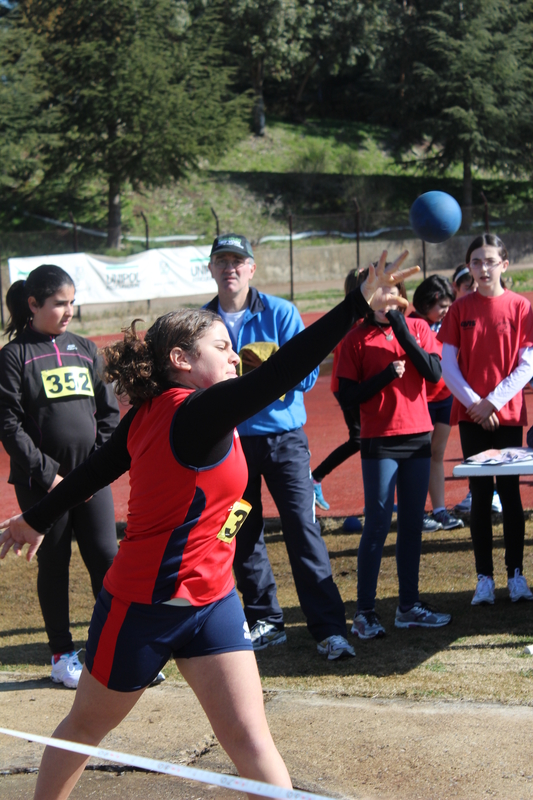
[{"x": 435, "y": 217}]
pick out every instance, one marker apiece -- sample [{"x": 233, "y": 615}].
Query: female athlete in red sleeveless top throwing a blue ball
[{"x": 170, "y": 590}]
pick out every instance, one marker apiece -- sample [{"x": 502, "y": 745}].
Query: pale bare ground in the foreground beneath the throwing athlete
[{"x": 336, "y": 746}]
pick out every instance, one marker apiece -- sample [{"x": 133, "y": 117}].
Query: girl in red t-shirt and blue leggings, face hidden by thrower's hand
[{"x": 383, "y": 367}]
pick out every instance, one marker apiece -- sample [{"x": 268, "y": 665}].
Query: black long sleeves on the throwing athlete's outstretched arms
[{"x": 203, "y": 425}]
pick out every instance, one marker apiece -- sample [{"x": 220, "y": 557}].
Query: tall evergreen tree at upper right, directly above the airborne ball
[{"x": 451, "y": 83}]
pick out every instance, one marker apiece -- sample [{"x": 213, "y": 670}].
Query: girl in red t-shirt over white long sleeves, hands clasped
[{"x": 487, "y": 355}]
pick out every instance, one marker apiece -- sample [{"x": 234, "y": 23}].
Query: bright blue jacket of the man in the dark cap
[{"x": 271, "y": 319}]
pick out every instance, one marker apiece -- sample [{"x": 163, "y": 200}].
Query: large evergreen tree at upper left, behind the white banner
[{"x": 132, "y": 91}]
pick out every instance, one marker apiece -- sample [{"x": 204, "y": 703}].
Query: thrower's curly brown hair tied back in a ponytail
[{"x": 139, "y": 366}]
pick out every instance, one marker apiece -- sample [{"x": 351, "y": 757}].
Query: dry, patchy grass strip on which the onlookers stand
[{"x": 477, "y": 657}]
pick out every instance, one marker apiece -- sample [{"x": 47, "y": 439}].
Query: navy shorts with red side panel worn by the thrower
[{"x": 130, "y": 642}]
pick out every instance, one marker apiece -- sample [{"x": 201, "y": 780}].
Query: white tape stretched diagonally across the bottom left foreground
[{"x": 152, "y": 764}]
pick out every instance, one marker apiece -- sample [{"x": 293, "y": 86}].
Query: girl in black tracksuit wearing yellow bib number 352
[{"x": 55, "y": 410}]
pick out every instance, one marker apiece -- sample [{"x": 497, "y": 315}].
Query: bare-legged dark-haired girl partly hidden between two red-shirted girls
[{"x": 432, "y": 299}]
